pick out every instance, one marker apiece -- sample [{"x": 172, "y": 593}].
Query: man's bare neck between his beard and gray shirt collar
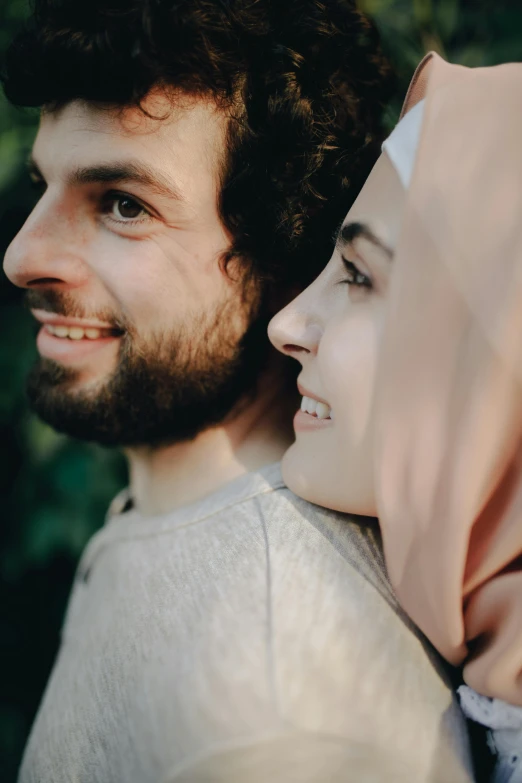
[{"x": 170, "y": 477}]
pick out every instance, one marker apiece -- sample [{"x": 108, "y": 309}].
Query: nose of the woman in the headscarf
[{"x": 295, "y": 331}]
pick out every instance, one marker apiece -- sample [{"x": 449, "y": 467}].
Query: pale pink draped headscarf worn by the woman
[{"x": 449, "y": 393}]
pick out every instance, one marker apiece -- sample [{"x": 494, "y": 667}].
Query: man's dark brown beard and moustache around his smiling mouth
[{"x": 165, "y": 389}]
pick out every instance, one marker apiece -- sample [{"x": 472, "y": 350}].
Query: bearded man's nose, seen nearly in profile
[{"x": 46, "y": 251}]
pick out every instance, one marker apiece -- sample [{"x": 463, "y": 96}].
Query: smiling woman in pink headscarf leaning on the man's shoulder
[{"x": 411, "y": 347}]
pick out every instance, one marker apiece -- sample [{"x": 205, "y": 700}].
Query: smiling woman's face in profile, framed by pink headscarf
[{"x": 334, "y": 329}]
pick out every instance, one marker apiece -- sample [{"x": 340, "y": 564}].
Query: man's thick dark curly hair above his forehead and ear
[{"x": 304, "y": 83}]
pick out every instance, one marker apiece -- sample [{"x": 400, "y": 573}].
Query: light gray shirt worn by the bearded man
[{"x": 249, "y": 638}]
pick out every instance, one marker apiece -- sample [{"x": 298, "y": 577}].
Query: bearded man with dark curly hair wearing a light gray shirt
[{"x": 186, "y": 152}]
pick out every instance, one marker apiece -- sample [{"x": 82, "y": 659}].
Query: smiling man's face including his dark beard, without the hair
[{"x": 143, "y": 334}]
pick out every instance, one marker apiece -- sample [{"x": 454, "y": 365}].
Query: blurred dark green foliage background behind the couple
[{"x": 54, "y": 491}]
